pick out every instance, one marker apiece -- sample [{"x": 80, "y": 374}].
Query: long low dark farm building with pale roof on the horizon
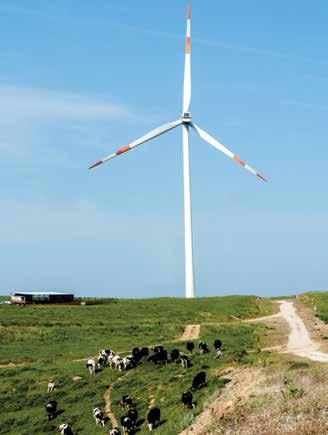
[{"x": 40, "y": 298}]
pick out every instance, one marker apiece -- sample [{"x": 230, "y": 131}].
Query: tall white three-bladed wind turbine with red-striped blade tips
[{"x": 186, "y": 122}]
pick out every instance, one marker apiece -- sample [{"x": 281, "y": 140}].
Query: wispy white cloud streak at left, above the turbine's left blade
[{"x": 16, "y": 103}]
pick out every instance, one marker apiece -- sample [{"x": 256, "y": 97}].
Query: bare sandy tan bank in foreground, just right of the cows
[{"x": 242, "y": 385}]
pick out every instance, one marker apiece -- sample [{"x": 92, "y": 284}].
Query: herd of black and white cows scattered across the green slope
[{"x": 156, "y": 355}]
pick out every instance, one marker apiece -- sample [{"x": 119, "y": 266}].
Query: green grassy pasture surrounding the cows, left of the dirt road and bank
[{"x": 51, "y": 337}]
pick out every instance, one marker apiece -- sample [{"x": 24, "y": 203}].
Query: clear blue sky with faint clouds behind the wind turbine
[{"x": 78, "y": 80}]
